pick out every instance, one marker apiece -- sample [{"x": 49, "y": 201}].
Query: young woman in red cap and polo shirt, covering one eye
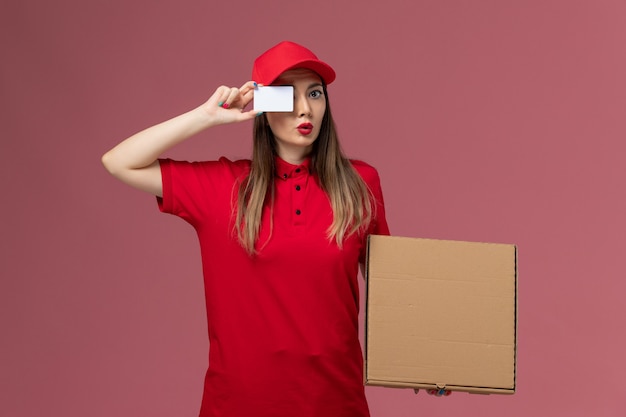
[{"x": 281, "y": 237}]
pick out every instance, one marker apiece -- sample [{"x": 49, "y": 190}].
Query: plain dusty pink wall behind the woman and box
[{"x": 489, "y": 120}]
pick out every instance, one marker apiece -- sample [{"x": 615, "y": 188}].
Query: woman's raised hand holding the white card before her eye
[{"x": 228, "y": 104}]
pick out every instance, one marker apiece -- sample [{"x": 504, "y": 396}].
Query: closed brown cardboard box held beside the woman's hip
[{"x": 441, "y": 314}]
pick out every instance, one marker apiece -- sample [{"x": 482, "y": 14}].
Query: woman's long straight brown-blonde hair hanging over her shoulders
[{"x": 350, "y": 198}]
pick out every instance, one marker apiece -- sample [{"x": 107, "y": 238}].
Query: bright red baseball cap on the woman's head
[{"x": 285, "y": 56}]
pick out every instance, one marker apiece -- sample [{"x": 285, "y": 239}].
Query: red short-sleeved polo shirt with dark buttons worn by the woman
[{"x": 283, "y": 324}]
